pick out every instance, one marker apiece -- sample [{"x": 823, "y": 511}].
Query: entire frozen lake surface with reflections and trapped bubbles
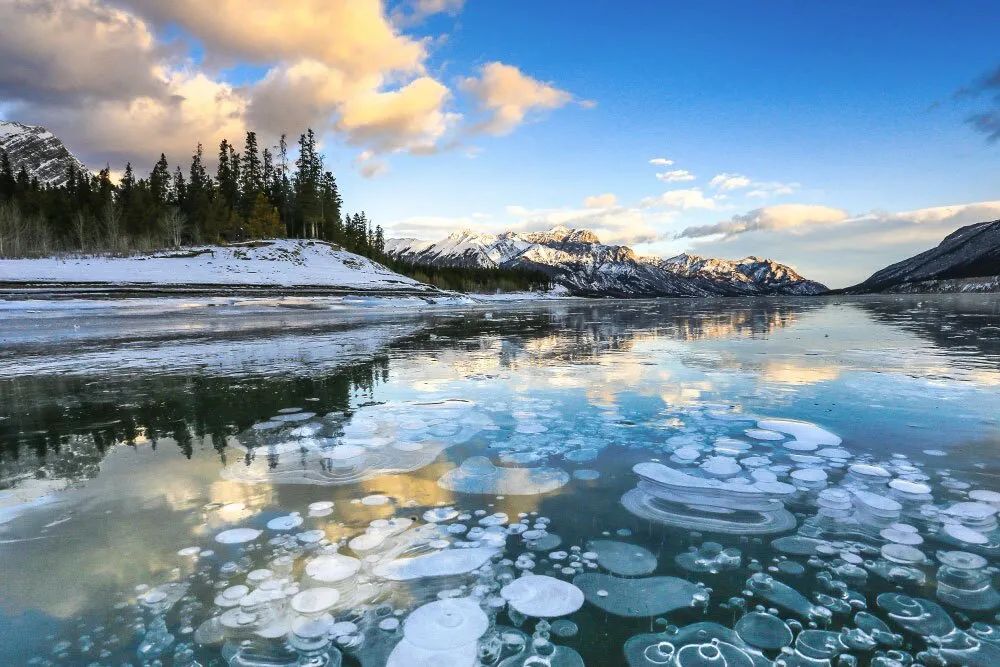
[{"x": 712, "y": 482}]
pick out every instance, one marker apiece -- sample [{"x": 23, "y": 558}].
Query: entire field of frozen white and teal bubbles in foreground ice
[{"x": 743, "y": 542}]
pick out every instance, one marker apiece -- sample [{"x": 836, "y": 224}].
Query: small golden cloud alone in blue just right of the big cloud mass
[{"x": 507, "y": 96}]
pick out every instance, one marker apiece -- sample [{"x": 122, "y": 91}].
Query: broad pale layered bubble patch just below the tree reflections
[{"x": 373, "y": 440}]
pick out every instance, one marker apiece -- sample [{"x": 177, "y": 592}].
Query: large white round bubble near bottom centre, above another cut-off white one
[{"x": 446, "y": 624}]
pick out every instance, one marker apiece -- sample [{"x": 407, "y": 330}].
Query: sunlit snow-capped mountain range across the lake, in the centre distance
[{"x": 576, "y": 259}]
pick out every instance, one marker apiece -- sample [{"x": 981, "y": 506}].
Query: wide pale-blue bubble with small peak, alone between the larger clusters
[{"x": 478, "y": 475}]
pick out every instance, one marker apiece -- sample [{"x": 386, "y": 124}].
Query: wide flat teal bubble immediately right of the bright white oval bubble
[{"x": 637, "y": 598}]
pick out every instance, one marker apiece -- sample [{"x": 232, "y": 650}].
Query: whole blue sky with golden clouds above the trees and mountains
[{"x": 835, "y": 127}]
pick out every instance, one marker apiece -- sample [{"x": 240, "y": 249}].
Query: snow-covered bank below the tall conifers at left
[{"x": 276, "y": 263}]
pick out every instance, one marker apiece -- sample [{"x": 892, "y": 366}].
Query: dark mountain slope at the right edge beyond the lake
[{"x": 967, "y": 260}]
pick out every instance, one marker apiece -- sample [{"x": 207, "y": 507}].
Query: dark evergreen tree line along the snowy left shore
[{"x": 254, "y": 194}]
